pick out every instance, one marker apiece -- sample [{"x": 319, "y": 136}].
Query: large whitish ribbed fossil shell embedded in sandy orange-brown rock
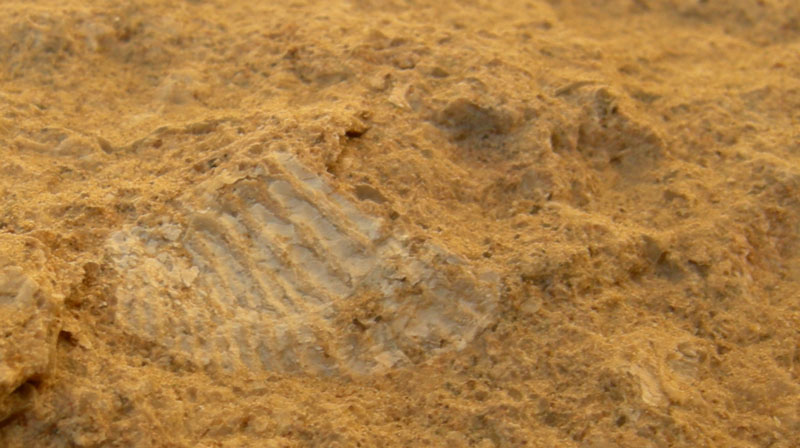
[{"x": 276, "y": 271}]
